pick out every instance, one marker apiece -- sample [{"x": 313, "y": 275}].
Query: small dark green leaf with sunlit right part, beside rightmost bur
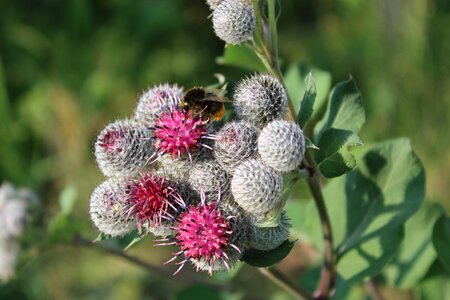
[{"x": 334, "y": 157}]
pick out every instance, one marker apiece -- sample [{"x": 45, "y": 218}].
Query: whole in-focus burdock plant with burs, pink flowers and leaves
[{"x": 226, "y": 192}]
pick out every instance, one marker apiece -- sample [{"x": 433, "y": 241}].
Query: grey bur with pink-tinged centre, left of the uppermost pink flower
[{"x": 123, "y": 148}]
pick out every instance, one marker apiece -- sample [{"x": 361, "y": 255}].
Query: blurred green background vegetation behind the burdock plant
[{"x": 67, "y": 68}]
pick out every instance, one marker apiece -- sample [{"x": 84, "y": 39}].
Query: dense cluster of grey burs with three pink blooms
[{"x": 212, "y": 191}]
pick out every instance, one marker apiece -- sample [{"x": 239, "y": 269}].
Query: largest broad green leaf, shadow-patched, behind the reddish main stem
[{"x": 368, "y": 208}]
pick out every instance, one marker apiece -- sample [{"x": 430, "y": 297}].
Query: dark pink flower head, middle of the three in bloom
[{"x": 152, "y": 198}]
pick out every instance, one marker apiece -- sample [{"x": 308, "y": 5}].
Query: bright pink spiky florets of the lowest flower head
[{"x": 203, "y": 233}]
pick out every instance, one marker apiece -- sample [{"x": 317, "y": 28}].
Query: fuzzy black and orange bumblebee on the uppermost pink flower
[{"x": 206, "y": 102}]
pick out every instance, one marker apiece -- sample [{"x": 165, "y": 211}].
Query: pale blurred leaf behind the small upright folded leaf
[{"x": 296, "y": 86}]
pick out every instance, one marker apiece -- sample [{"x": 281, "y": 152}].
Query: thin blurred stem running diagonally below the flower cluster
[{"x": 189, "y": 278}]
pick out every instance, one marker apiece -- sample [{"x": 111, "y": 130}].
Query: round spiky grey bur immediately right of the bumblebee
[{"x": 260, "y": 99}]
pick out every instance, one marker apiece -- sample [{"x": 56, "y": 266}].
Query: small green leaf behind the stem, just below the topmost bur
[{"x": 241, "y": 56}]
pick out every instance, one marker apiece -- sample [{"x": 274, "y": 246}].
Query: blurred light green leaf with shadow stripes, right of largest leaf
[{"x": 416, "y": 253}]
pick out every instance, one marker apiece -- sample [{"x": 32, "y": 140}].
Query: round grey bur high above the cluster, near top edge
[{"x": 234, "y": 21}]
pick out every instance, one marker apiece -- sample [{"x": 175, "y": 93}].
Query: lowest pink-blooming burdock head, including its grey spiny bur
[{"x": 208, "y": 236}]
